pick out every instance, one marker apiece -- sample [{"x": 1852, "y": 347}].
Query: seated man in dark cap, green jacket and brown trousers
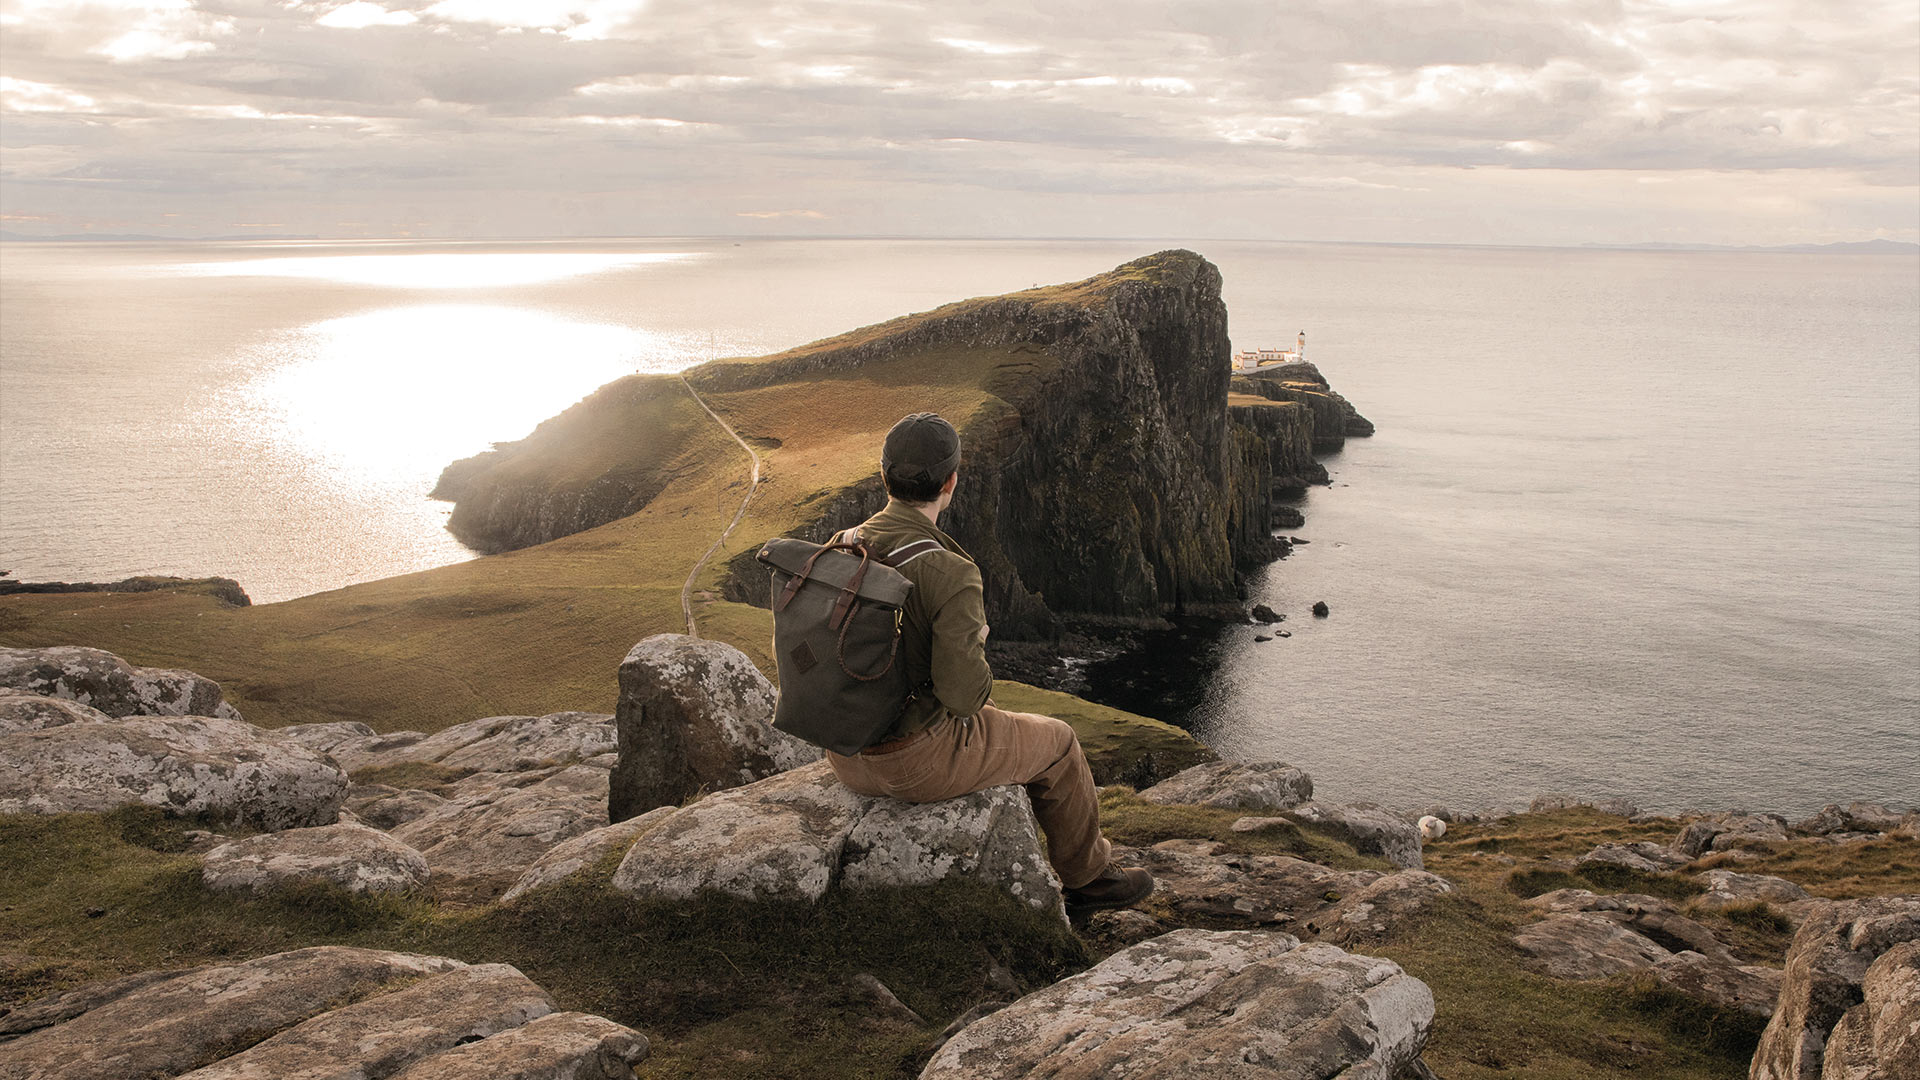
[{"x": 953, "y": 739}]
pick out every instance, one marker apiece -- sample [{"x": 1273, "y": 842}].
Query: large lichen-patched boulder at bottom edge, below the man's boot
[{"x": 1205, "y": 1006}]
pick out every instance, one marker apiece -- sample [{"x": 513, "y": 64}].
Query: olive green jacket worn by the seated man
[{"x": 944, "y": 641}]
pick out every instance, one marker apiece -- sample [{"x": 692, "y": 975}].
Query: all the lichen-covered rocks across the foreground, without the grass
[{"x": 1255, "y": 958}]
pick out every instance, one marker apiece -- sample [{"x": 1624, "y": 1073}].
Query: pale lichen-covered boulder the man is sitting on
[{"x": 802, "y": 833}]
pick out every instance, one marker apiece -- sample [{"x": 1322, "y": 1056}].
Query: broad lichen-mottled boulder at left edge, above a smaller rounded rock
[{"x": 228, "y": 770}]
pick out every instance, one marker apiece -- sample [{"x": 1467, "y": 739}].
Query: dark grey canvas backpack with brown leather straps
[{"x": 838, "y": 639}]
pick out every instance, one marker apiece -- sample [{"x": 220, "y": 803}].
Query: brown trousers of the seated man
[{"x": 996, "y": 749}]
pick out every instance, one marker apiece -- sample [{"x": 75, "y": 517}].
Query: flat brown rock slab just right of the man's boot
[{"x": 1203, "y": 881}]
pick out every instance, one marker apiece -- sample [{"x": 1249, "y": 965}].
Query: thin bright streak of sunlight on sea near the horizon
[{"x": 479, "y": 270}]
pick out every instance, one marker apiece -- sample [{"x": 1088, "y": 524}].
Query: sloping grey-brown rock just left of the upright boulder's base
[{"x": 479, "y": 845}]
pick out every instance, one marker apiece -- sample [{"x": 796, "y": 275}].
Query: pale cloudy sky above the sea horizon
[{"x": 1479, "y": 122}]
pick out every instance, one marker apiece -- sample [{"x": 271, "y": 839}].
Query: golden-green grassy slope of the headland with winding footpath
[{"x": 544, "y": 627}]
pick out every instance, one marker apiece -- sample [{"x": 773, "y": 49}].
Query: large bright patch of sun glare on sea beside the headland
[{"x": 389, "y": 399}]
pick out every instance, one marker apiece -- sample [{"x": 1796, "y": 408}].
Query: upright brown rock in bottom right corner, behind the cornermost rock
[{"x": 1829, "y": 962}]
